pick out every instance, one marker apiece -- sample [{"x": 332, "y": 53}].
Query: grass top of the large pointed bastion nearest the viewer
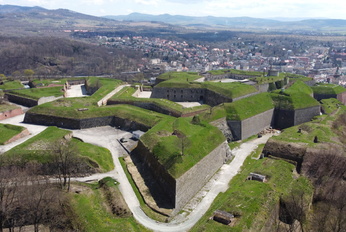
[{"x": 199, "y": 140}]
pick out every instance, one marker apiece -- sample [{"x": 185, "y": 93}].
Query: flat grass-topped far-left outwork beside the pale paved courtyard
[{"x": 37, "y": 93}]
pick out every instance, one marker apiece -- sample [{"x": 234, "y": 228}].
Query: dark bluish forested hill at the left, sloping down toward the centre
[{"x": 37, "y": 21}]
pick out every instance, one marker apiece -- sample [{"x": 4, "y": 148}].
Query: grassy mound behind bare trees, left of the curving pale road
[{"x": 38, "y": 149}]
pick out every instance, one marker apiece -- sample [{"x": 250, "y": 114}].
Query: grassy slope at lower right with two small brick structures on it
[{"x": 252, "y": 200}]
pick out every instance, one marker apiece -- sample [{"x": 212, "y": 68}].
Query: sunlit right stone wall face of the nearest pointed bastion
[{"x": 188, "y": 185}]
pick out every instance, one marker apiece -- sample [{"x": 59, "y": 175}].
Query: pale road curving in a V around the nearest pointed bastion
[{"x": 106, "y": 137}]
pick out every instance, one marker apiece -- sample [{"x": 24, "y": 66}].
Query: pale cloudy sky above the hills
[{"x": 335, "y": 9}]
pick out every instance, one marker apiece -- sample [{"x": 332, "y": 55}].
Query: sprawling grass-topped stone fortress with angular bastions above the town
[{"x": 237, "y": 110}]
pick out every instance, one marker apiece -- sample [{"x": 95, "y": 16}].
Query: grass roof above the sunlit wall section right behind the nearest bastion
[{"x": 249, "y": 107}]
